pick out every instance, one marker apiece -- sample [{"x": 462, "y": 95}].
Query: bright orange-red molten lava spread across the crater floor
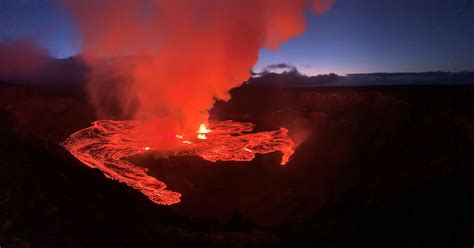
[{"x": 107, "y": 143}]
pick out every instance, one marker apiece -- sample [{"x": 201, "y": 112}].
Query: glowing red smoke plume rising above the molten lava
[{"x": 174, "y": 58}]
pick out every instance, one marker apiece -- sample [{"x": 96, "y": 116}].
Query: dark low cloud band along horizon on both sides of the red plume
[{"x": 72, "y": 72}]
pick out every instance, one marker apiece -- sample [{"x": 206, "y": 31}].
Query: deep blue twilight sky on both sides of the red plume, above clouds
[{"x": 354, "y": 36}]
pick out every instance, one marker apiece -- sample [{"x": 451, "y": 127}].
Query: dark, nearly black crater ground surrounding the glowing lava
[{"x": 375, "y": 166}]
